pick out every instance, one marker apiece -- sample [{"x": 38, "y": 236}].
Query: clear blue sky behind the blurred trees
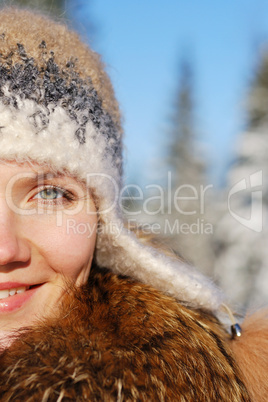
[{"x": 142, "y": 42}]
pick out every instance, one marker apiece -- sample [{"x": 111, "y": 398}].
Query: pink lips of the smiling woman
[{"x": 13, "y": 303}]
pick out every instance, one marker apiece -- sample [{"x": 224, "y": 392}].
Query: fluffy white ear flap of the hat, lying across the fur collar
[{"x": 126, "y": 254}]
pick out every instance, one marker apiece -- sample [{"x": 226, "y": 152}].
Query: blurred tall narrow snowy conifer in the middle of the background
[{"x": 188, "y": 216}]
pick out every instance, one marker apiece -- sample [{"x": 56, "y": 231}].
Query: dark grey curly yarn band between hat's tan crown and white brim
[{"x": 51, "y": 86}]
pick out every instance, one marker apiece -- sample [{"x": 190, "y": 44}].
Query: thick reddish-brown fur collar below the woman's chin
[{"x": 118, "y": 340}]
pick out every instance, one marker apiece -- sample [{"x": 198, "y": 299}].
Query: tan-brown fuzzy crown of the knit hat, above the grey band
[{"x": 29, "y": 29}]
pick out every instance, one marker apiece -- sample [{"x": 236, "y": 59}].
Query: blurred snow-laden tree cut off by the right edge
[{"x": 241, "y": 237}]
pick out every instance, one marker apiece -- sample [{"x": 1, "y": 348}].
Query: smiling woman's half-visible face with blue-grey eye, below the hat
[{"x": 47, "y": 237}]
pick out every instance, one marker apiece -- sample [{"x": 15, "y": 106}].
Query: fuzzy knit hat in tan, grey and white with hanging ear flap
[{"x": 57, "y": 107}]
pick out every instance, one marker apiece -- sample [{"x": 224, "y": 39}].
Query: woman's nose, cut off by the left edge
[{"x": 13, "y": 246}]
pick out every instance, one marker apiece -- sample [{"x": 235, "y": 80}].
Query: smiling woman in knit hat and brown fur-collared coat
[{"x": 89, "y": 311}]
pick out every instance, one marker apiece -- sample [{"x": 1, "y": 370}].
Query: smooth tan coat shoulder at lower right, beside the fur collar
[{"x": 251, "y": 353}]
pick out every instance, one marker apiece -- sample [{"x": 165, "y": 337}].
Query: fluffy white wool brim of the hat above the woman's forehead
[{"x": 55, "y": 146}]
